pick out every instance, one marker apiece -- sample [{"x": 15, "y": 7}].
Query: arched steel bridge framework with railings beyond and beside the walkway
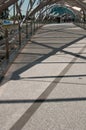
[{"x": 19, "y": 19}]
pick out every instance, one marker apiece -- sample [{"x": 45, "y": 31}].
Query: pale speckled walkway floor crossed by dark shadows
[{"x": 45, "y": 87}]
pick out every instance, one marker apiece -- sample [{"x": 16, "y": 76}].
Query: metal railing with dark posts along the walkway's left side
[{"x": 15, "y": 37}]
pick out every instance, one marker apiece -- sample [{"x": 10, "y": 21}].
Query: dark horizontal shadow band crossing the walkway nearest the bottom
[{"x": 56, "y": 100}]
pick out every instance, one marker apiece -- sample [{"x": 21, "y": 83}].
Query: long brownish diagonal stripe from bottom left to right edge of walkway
[{"x": 33, "y": 108}]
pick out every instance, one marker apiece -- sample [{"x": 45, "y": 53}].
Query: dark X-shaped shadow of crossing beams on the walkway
[{"x": 52, "y": 51}]
